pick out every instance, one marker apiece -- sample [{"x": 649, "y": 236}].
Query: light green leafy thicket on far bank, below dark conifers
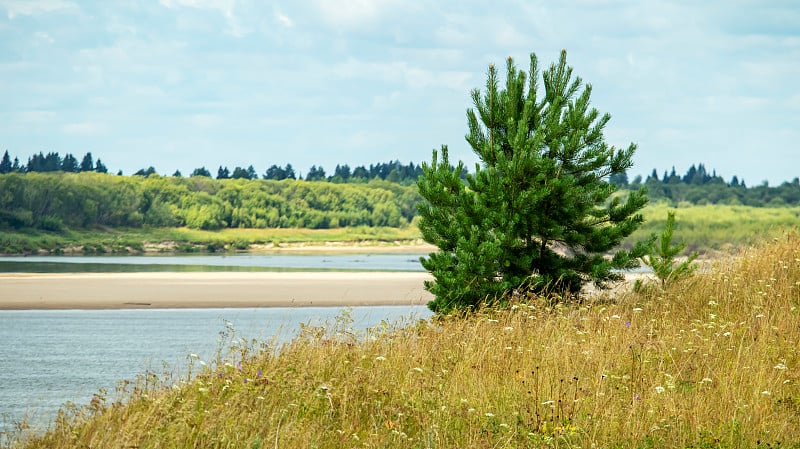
[{"x": 55, "y": 201}]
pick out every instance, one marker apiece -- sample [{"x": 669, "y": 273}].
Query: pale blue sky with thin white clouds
[{"x": 179, "y": 84}]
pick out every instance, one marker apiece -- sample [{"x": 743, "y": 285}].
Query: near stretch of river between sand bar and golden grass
[{"x": 50, "y": 357}]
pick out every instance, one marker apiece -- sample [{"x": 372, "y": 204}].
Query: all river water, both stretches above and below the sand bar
[{"x": 51, "y": 357}]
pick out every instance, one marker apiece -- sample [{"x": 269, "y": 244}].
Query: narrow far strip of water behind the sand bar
[{"x": 233, "y": 262}]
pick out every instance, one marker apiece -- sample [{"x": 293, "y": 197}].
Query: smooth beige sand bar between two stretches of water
[{"x": 208, "y": 290}]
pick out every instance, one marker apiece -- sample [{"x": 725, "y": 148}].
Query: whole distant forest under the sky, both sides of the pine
[{"x": 51, "y": 192}]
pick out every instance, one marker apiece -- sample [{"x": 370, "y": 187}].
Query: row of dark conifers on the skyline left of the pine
[{"x": 393, "y": 171}]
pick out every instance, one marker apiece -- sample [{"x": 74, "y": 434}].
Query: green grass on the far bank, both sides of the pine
[{"x": 703, "y": 228}]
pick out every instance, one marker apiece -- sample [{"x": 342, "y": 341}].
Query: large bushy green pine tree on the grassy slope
[{"x": 538, "y": 213}]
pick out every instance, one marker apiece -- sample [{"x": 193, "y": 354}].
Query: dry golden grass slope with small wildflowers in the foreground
[{"x": 714, "y": 361}]
